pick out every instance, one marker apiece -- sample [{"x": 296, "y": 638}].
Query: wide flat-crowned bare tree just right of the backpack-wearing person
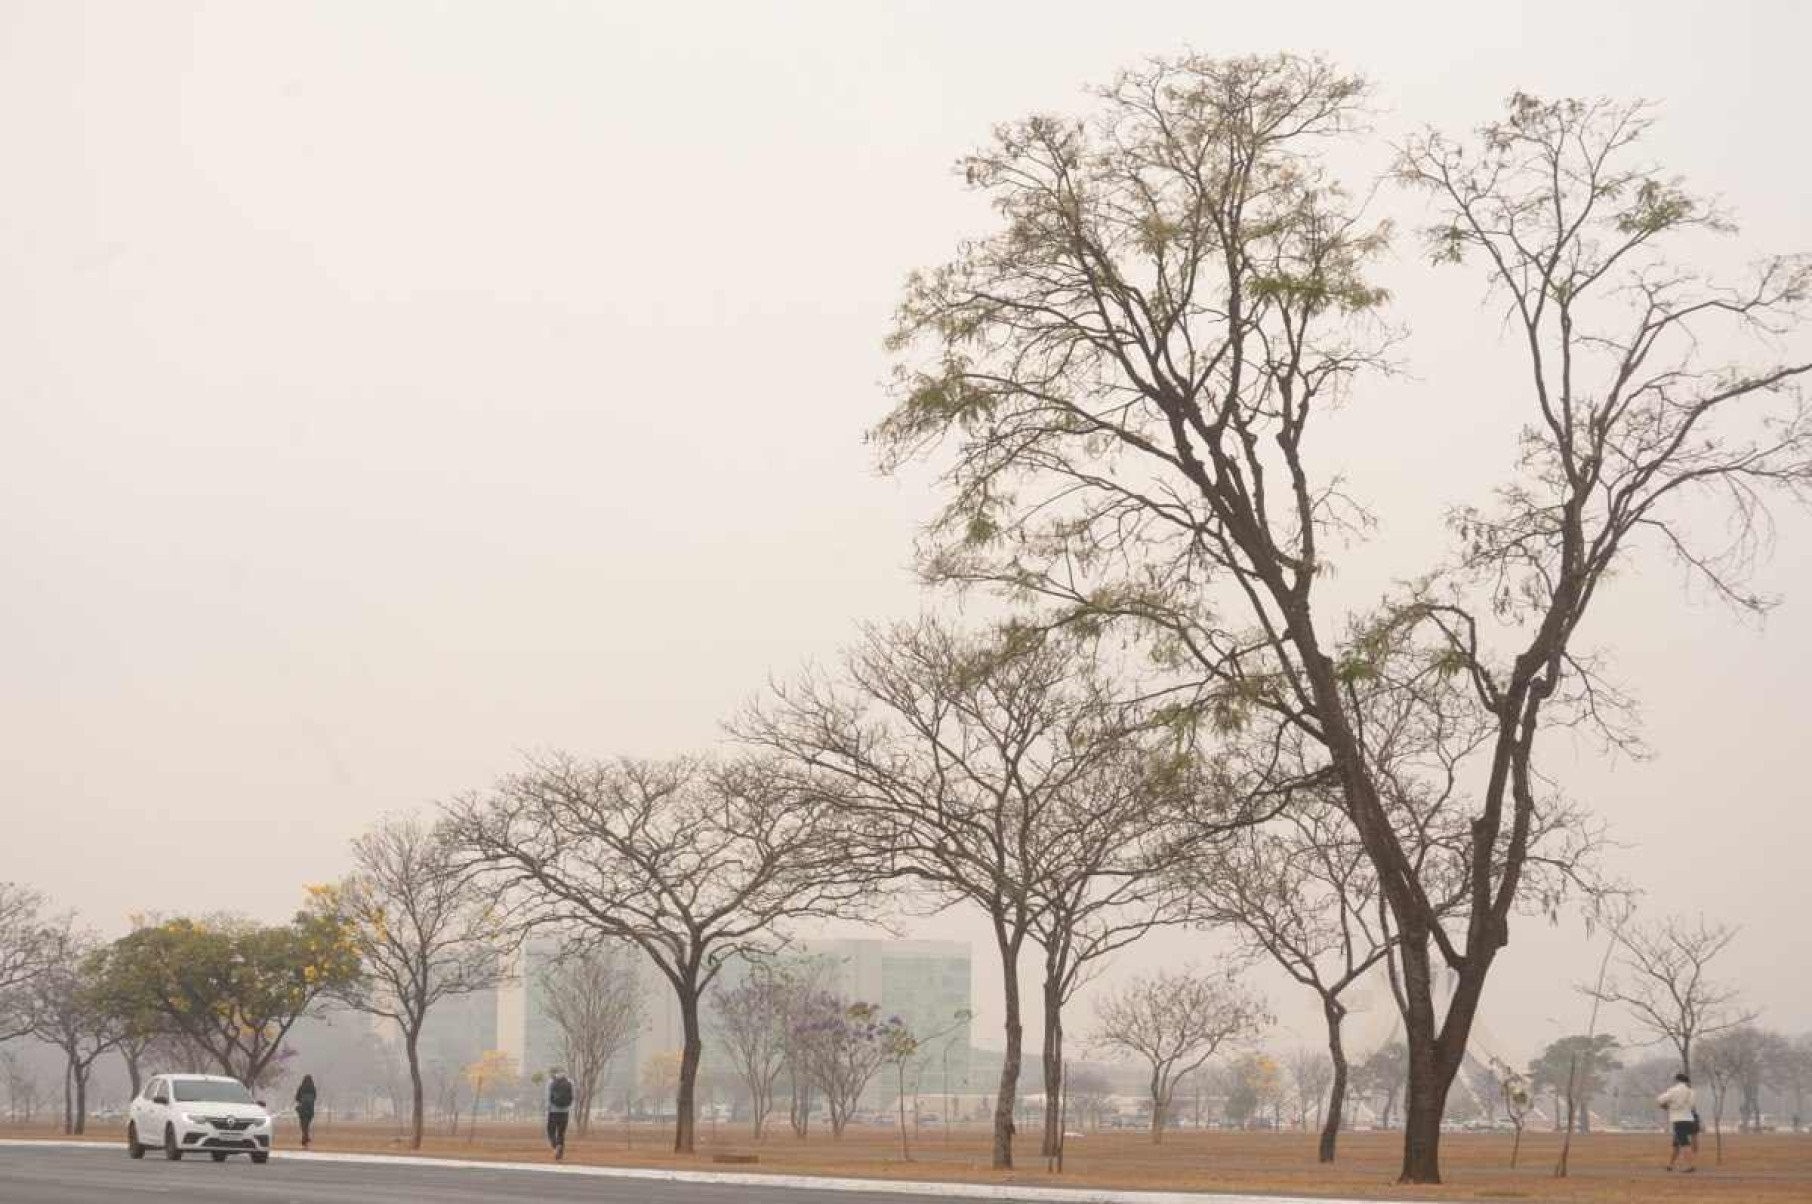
[{"x": 688, "y": 862}]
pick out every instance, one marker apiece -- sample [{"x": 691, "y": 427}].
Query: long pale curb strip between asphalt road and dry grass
[{"x": 798, "y": 1183}]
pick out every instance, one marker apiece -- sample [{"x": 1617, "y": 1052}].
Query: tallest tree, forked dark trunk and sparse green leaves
[{"x": 1135, "y": 365}]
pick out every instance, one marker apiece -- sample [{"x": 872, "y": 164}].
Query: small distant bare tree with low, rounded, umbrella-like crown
[{"x": 1175, "y": 1022}]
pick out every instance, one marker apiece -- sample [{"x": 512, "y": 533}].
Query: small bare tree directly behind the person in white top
[{"x": 1664, "y": 982}]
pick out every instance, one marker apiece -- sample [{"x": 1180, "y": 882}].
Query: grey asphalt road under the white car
[{"x": 95, "y": 1176}]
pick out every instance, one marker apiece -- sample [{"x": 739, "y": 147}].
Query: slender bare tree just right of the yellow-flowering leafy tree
[{"x": 423, "y": 931}]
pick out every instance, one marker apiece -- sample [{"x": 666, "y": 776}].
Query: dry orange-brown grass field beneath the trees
[{"x": 1771, "y": 1169}]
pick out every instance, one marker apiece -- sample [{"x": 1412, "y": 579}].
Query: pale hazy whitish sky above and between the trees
[{"x": 392, "y": 389}]
